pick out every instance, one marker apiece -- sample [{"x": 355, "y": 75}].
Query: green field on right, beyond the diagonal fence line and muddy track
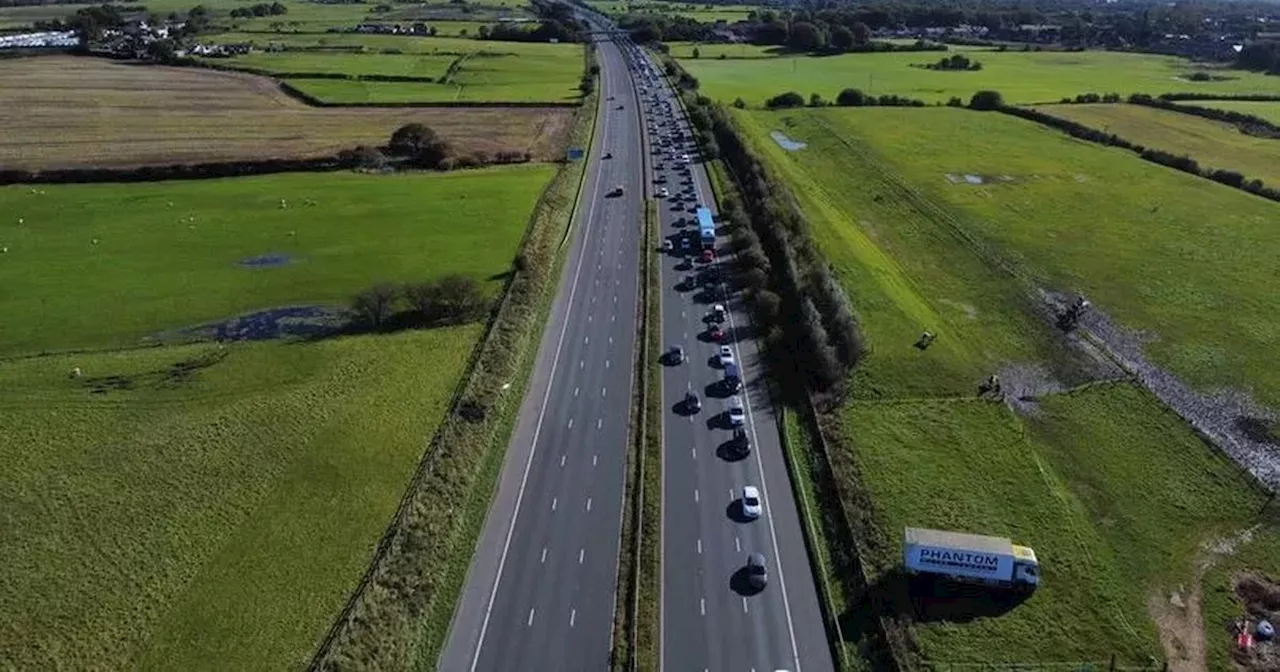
[{"x": 1162, "y": 252}]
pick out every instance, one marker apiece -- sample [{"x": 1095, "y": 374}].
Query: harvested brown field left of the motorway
[{"x": 67, "y": 112}]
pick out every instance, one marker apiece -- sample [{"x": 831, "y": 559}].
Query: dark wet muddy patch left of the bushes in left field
[{"x": 286, "y": 322}]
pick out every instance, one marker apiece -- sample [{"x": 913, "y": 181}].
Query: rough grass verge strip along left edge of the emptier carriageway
[{"x": 400, "y": 616}]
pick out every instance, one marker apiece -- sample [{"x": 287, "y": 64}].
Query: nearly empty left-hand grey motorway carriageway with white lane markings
[{"x": 541, "y": 589}]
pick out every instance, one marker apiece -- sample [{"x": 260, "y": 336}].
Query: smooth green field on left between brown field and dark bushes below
[{"x": 175, "y": 267}]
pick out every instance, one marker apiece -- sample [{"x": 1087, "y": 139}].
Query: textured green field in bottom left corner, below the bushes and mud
[{"x": 217, "y": 520}]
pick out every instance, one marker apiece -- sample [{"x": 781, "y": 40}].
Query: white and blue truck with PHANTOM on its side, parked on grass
[{"x": 971, "y": 557}]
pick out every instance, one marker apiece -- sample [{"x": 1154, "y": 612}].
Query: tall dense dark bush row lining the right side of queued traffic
[{"x": 813, "y": 337}]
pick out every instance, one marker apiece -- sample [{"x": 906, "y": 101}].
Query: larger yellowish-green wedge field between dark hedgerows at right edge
[{"x": 1213, "y": 144}]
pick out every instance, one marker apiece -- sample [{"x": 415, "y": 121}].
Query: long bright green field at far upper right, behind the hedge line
[{"x": 1022, "y": 77}]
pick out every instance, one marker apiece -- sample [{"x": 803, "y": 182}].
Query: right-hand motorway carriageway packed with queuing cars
[{"x": 711, "y": 620}]
